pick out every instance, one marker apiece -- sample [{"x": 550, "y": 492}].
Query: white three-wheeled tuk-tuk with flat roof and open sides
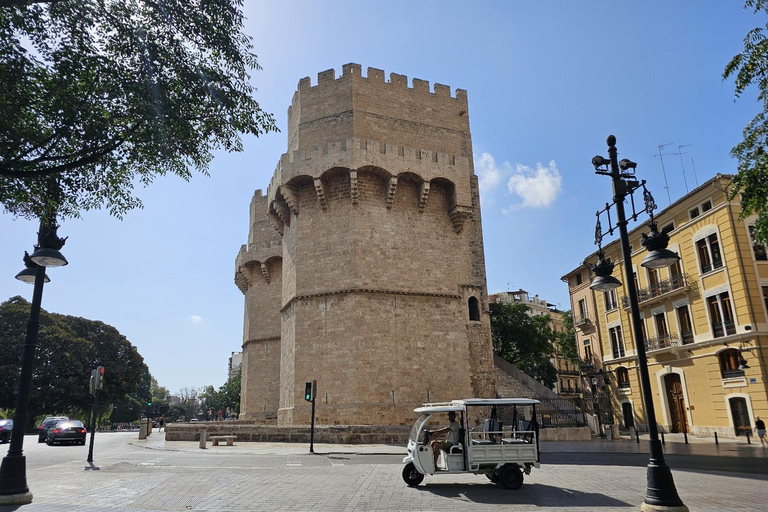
[{"x": 498, "y": 438}]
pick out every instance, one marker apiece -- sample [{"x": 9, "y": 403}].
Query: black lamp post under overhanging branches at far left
[{"x": 13, "y": 470}]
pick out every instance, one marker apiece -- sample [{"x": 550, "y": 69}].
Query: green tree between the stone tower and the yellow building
[{"x": 523, "y": 340}]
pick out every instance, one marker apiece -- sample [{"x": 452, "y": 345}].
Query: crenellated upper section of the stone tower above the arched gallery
[{"x": 407, "y": 113}]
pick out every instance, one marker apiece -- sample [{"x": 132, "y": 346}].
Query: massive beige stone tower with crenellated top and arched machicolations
[{"x": 364, "y": 267}]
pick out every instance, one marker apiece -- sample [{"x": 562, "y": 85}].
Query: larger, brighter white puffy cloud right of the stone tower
[{"x": 538, "y": 188}]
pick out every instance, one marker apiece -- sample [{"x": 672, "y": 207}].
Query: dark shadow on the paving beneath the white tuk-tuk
[{"x": 537, "y": 495}]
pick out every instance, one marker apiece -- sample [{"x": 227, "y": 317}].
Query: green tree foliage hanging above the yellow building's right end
[{"x": 750, "y": 67}]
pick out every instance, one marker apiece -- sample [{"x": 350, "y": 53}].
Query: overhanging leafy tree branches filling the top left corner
[{"x": 104, "y": 95}]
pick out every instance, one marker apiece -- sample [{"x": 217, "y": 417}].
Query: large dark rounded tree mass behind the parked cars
[{"x": 68, "y": 348}]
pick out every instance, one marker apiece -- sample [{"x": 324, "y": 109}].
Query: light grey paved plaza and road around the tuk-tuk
[{"x": 152, "y": 475}]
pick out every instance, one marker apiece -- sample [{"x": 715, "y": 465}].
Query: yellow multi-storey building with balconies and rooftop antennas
[{"x": 704, "y": 320}]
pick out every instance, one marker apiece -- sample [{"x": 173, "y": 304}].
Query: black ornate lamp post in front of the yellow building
[{"x": 661, "y": 493}]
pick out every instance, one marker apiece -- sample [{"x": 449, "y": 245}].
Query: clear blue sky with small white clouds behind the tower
[{"x": 547, "y": 83}]
